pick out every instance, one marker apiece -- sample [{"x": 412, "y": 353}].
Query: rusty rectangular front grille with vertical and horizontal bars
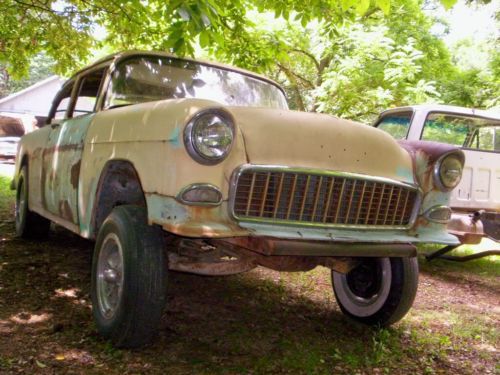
[{"x": 282, "y": 195}]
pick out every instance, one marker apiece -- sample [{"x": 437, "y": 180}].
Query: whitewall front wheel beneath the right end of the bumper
[{"x": 379, "y": 291}]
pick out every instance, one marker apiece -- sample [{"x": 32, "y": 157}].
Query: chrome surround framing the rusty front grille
[{"x": 320, "y": 172}]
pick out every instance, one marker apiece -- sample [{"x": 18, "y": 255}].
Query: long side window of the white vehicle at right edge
[{"x": 463, "y": 131}]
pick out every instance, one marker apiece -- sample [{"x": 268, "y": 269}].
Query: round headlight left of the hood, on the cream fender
[{"x": 209, "y": 136}]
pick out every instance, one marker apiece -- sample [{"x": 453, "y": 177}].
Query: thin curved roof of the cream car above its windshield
[{"x": 115, "y": 57}]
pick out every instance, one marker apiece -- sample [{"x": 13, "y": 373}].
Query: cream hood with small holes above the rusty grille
[{"x": 317, "y": 141}]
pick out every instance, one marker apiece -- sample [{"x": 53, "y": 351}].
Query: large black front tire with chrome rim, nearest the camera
[{"x": 131, "y": 319}]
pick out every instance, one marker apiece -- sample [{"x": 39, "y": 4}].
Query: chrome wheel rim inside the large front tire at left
[{"x": 109, "y": 276}]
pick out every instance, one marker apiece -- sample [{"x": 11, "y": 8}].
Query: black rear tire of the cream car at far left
[{"x": 29, "y": 224}]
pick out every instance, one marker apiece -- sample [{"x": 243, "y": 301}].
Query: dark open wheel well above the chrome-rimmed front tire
[{"x": 119, "y": 184}]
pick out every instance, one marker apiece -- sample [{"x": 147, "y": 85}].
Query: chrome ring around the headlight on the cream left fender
[{"x": 191, "y": 144}]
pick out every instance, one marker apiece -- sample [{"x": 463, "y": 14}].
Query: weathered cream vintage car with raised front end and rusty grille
[{"x": 177, "y": 164}]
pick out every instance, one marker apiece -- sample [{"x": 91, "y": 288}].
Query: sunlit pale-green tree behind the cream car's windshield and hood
[{"x": 353, "y": 69}]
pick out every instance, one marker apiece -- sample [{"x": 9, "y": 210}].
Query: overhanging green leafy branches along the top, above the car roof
[{"x": 64, "y": 29}]
